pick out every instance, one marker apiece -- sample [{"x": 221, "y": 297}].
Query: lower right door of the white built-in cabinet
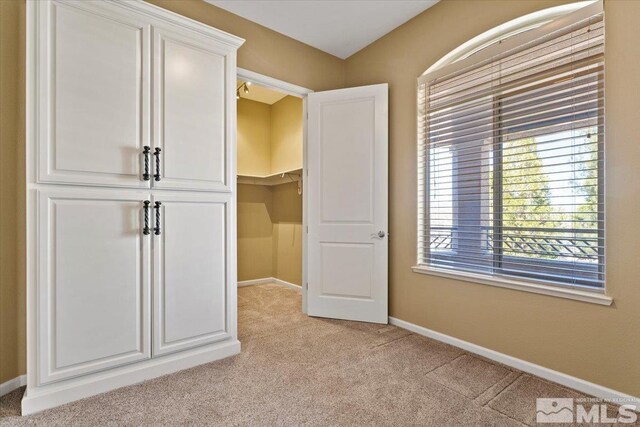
[{"x": 190, "y": 274}]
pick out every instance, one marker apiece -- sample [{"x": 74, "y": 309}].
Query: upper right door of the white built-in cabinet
[{"x": 193, "y": 78}]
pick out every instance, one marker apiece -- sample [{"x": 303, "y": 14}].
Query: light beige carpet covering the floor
[{"x": 296, "y": 370}]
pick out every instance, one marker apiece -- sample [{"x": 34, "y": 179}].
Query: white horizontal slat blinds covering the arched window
[{"x": 511, "y": 158}]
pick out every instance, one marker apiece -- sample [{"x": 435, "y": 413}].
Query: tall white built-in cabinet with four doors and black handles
[{"x": 131, "y": 196}]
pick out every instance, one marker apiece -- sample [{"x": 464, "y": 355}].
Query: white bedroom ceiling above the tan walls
[{"x": 339, "y": 27}]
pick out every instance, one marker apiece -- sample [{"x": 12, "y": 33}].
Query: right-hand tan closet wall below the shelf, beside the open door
[{"x": 287, "y": 233}]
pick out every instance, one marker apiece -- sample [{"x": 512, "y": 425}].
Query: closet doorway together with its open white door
[{"x": 313, "y": 194}]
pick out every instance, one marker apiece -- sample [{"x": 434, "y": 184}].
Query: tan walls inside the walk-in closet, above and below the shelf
[{"x": 269, "y": 217}]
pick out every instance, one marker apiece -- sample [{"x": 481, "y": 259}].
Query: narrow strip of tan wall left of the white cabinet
[{"x": 12, "y": 187}]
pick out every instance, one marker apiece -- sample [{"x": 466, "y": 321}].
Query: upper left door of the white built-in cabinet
[{"x": 93, "y": 96}]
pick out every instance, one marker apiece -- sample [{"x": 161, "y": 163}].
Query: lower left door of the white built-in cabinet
[{"x": 93, "y": 291}]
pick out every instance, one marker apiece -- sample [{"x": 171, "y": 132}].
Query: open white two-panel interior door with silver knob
[{"x": 347, "y": 161}]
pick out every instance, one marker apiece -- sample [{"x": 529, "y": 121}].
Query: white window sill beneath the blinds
[{"x": 584, "y": 296}]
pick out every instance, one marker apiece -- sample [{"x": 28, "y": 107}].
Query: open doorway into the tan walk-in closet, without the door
[{"x": 271, "y": 133}]
